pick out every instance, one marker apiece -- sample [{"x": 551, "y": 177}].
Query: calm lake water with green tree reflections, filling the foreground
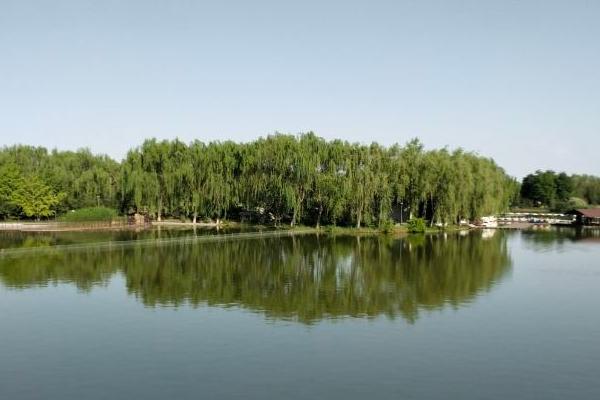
[{"x": 486, "y": 315}]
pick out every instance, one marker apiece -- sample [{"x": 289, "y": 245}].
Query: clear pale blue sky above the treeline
[{"x": 518, "y": 81}]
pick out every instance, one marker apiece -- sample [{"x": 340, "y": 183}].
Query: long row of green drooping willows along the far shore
[{"x": 301, "y": 179}]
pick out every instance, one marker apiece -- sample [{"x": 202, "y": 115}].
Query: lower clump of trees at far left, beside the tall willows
[{"x": 57, "y": 180}]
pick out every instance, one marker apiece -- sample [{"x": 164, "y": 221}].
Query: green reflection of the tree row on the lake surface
[{"x": 304, "y": 278}]
